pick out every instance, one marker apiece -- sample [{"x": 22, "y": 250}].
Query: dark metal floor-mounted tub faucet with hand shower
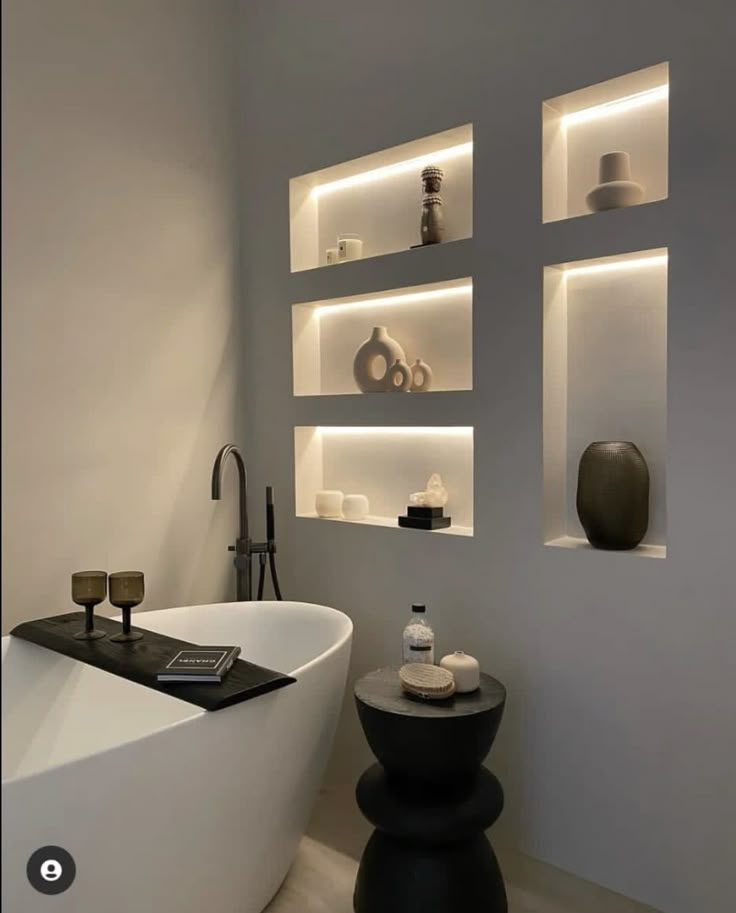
[{"x": 244, "y": 548}]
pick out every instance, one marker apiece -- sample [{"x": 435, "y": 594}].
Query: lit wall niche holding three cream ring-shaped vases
[{"x": 433, "y": 322}]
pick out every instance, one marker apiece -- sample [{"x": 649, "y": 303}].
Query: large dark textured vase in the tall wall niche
[{"x": 613, "y": 495}]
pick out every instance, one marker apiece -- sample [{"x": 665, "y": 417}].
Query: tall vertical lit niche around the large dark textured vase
[{"x": 605, "y": 378}]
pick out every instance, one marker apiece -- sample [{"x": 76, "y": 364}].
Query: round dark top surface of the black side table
[{"x": 382, "y": 690}]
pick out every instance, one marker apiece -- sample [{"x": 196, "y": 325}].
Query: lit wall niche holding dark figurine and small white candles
[{"x": 378, "y": 198}]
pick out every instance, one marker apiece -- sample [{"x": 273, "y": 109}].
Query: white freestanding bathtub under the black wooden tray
[{"x": 164, "y": 807}]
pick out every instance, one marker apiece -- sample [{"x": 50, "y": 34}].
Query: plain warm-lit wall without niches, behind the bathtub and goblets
[{"x": 120, "y": 330}]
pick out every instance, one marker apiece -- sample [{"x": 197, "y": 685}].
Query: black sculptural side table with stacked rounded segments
[{"x": 430, "y": 800}]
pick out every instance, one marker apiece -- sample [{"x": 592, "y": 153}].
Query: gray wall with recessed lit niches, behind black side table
[{"x": 617, "y": 748}]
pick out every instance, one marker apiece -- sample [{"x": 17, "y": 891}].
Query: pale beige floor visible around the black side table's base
[{"x": 321, "y": 881}]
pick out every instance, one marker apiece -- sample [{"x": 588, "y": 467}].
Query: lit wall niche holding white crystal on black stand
[{"x": 386, "y": 464}]
